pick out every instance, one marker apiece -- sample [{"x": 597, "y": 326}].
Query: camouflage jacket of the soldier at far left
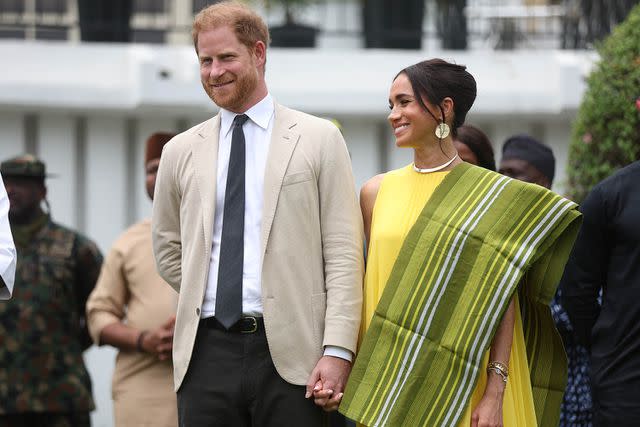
[{"x": 43, "y": 330}]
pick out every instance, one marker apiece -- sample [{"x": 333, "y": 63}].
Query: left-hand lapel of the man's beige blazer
[{"x": 205, "y": 162}]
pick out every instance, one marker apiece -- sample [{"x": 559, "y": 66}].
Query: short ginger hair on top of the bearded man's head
[{"x": 248, "y": 26}]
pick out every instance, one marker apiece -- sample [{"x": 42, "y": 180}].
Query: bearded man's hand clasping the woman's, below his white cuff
[{"x": 327, "y": 382}]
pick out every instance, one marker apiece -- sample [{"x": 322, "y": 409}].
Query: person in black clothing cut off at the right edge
[{"x": 606, "y": 260}]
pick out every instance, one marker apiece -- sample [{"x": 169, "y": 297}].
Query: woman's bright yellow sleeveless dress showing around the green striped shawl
[{"x": 401, "y": 198}]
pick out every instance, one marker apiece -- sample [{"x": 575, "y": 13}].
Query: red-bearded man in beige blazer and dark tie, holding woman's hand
[{"x": 293, "y": 250}]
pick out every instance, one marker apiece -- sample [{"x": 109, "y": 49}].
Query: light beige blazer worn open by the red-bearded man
[{"x": 312, "y": 239}]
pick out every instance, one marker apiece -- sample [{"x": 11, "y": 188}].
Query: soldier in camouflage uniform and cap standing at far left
[{"x": 43, "y": 379}]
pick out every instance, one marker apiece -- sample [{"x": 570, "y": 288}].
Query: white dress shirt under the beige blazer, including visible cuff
[{"x": 257, "y": 134}]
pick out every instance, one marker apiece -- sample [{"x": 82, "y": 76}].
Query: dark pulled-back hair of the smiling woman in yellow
[{"x": 436, "y": 79}]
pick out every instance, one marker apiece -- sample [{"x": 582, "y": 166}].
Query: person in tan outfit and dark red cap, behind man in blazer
[{"x": 133, "y": 309}]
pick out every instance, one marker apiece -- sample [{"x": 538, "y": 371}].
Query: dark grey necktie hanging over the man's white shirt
[{"x": 229, "y": 292}]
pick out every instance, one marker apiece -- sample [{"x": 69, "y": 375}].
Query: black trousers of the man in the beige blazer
[{"x": 231, "y": 381}]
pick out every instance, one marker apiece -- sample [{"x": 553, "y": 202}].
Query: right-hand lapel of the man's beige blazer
[{"x": 283, "y": 141}]
